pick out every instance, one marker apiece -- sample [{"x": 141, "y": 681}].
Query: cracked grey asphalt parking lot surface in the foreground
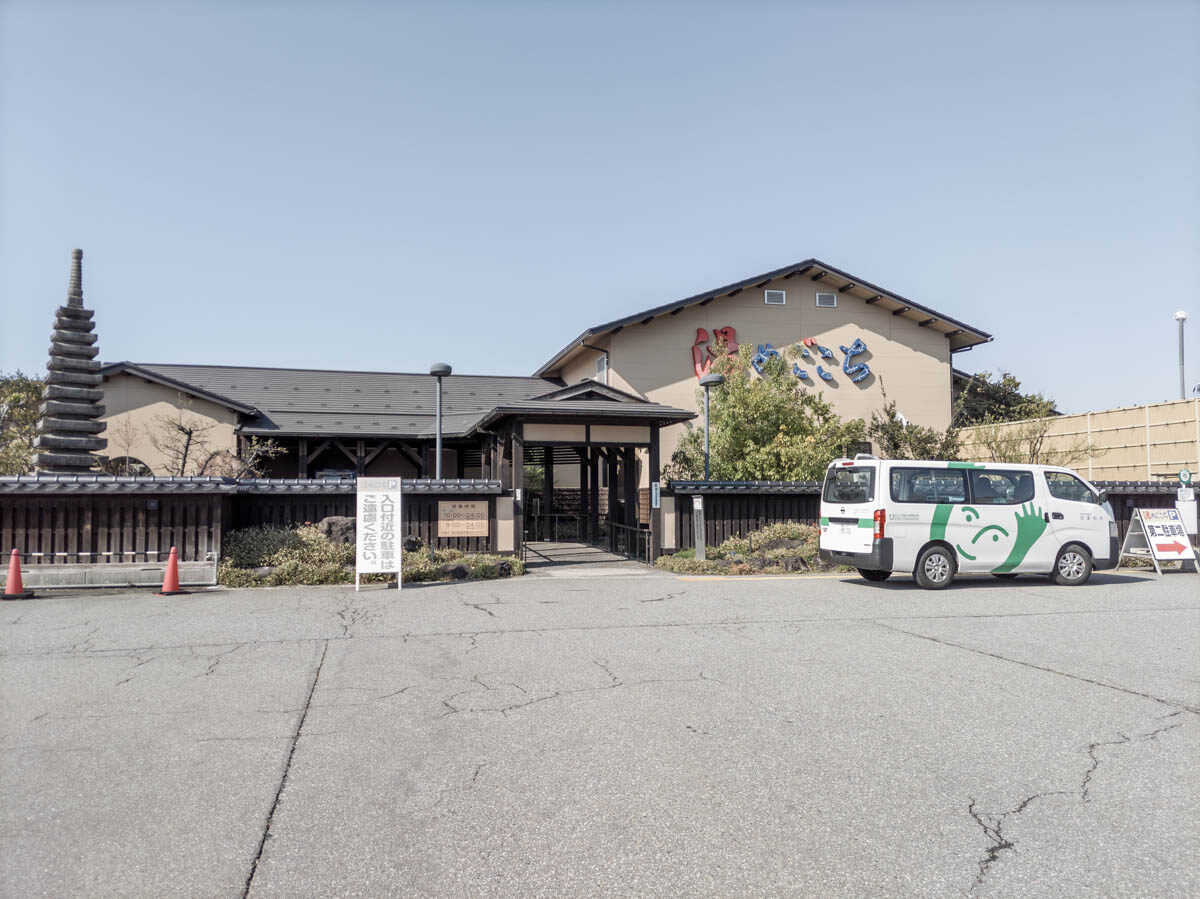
[{"x": 583, "y": 736}]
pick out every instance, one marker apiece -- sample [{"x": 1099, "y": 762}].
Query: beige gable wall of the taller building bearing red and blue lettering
[{"x": 655, "y": 361}]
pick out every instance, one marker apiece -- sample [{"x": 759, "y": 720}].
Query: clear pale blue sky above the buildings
[{"x": 370, "y": 185}]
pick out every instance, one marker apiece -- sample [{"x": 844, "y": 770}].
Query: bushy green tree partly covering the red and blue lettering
[{"x": 766, "y": 428}]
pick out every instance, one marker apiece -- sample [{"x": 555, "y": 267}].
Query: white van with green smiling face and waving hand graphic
[{"x": 940, "y": 519}]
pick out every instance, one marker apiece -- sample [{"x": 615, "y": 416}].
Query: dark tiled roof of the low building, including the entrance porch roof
[{"x": 316, "y": 403}]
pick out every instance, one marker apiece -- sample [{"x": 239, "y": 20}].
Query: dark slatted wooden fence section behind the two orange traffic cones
[{"x": 110, "y": 529}]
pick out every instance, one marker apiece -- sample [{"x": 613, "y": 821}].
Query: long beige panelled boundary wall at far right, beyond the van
[{"x": 1132, "y": 443}]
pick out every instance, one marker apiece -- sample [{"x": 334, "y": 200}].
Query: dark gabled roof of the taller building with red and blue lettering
[{"x": 961, "y": 335}]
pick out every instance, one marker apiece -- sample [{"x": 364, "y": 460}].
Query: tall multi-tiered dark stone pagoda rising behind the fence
[{"x": 68, "y": 433}]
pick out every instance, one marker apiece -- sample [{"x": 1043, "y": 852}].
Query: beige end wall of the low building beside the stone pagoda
[{"x": 134, "y": 407}]
